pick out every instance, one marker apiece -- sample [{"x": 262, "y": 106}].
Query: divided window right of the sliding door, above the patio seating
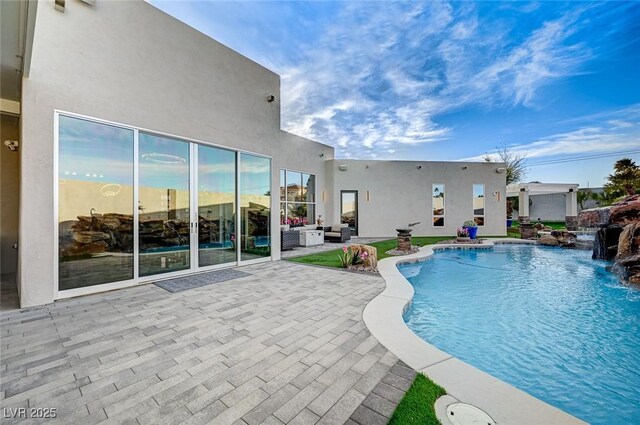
[{"x": 297, "y": 198}]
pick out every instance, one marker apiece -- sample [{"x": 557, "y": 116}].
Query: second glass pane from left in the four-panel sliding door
[{"x": 163, "y": 204}]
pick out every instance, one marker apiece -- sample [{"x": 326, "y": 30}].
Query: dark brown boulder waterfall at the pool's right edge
[{"x": 618, "y": 236}]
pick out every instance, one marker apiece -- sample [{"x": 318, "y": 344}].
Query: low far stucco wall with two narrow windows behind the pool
[{"x": 400, "y": 193}]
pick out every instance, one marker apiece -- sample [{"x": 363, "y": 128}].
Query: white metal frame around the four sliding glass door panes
[{"x": 193, "y": 214}]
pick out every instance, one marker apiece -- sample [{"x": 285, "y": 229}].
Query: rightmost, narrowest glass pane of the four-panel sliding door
[{"x": 255, "y": 211}]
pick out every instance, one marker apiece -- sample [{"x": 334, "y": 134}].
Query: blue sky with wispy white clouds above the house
[{"x": 448, "y": 81}]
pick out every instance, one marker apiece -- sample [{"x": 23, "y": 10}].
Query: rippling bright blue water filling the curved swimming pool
[{"x": 550, "y": 321}]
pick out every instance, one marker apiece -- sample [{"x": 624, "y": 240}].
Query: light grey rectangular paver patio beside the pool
[{"x": 284, "y": 345}]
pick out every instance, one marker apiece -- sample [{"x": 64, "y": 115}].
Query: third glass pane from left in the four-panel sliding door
[{"x": 216, "y": 205}]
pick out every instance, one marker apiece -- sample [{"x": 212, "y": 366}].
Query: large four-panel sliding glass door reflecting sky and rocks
[{"x": 135, "y": 206}]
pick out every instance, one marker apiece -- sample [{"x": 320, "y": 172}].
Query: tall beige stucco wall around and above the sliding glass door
[{"x": 130, "y": 63}]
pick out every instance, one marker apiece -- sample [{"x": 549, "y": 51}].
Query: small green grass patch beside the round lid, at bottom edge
[{"x": 418, "y": 404}]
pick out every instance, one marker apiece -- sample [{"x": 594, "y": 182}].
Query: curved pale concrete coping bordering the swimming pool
[{"x": 505, "y": 403}]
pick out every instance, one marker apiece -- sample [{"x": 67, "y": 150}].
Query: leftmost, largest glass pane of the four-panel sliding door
[{"x": 95, "y": 203}]
